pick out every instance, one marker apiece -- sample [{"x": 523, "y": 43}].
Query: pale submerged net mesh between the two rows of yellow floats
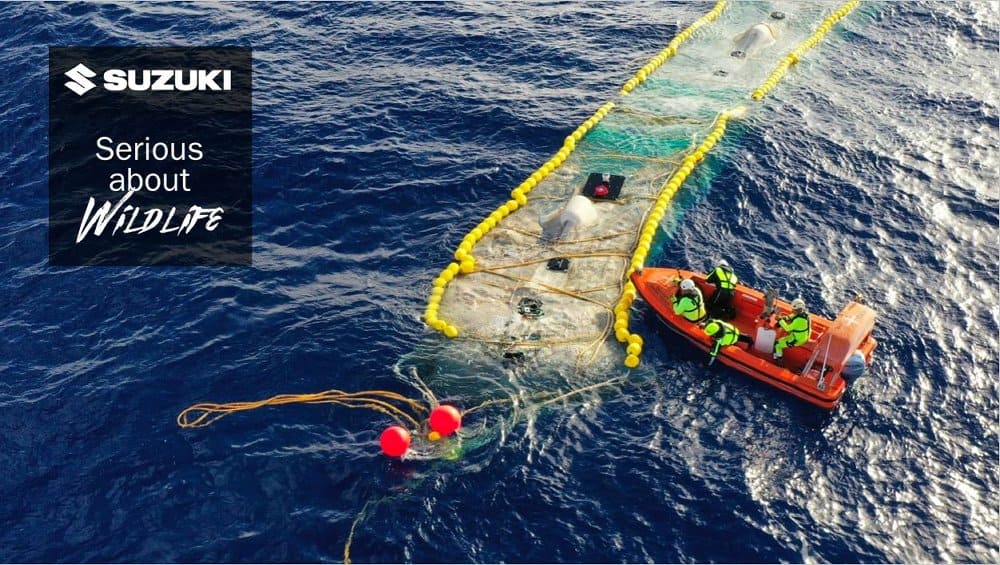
[{"x": 536, "y": 314}]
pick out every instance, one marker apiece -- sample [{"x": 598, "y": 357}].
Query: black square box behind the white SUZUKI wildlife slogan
[{"x": 82, "y": 110}]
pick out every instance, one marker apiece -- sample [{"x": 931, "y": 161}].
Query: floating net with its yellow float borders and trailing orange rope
[{"x": 532, "y": 316}]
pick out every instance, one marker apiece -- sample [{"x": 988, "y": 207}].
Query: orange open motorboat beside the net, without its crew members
[{"x": 814, "y": 371}]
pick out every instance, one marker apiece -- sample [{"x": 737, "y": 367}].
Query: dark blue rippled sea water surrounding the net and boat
[{"x": 383, "y": 132}]
